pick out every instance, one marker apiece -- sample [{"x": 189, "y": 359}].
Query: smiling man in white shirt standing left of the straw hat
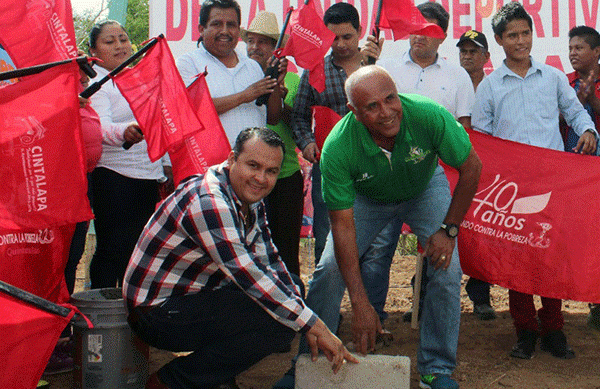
[{"x": 234, "y": 80}]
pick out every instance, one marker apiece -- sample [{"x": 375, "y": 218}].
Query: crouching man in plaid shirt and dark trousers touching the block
[{"x": 206, "y": 277}]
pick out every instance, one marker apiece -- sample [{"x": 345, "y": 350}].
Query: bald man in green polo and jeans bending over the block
[{"x": 380, "y": 165}]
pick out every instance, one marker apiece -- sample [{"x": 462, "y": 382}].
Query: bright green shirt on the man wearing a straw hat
[{"x": 290, "y": 158}]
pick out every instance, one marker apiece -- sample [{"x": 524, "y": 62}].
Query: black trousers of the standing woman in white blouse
[{"x": 122, "y": 207}]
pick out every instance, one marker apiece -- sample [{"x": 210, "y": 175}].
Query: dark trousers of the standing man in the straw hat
[{"x": 284, "y": 213}]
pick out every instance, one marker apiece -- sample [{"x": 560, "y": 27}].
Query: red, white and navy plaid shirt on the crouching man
[{"x": 196, "y": 241}]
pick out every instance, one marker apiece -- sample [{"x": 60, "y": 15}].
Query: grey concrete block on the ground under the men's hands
[{"x": 373, "y": 371}]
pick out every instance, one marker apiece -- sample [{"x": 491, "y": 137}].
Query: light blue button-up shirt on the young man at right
[{"x": 526, "y": 109}]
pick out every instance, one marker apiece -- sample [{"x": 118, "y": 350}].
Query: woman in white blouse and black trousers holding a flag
[{"x": 125, "y": 182}]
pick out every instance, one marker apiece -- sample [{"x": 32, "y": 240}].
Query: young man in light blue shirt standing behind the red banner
[{"x": 521, "y": 101}]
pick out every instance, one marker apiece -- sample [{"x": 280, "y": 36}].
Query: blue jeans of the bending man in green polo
[{"x": 441, "y": 311}]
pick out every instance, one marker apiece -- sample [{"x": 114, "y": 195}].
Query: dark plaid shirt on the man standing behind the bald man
[{"x": 333, "y": 97}]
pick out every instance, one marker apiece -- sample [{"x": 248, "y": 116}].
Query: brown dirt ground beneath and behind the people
[{"x": 482, "y": 351}]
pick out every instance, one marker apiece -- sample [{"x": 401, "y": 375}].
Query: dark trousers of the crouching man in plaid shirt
[{"x": 226, "y": 330}]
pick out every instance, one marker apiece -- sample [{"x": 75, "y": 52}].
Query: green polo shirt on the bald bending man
[{"x": 352, "y": 163}]
